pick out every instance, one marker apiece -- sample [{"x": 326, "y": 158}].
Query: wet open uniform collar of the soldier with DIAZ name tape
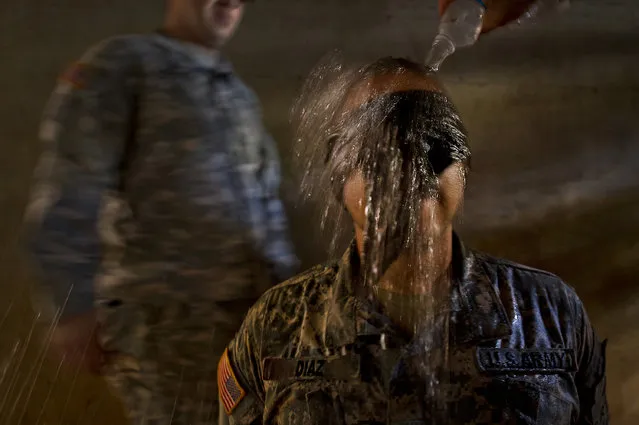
[{"x": 477, "y": 313}]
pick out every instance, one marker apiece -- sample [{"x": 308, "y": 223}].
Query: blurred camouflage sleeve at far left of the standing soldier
[{"x": 84, "y": 130}]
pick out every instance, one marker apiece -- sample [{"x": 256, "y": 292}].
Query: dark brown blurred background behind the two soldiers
[{"x": 552, "y": 110}]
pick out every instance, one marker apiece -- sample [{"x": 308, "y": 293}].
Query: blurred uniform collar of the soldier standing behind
[{"x": 191, "y": 55}]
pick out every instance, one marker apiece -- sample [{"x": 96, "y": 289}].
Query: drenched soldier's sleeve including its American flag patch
[{"x": 240, "y": 384}]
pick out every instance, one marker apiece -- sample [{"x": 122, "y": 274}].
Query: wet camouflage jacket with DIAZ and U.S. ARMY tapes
[{"x": 521, "y": 351}]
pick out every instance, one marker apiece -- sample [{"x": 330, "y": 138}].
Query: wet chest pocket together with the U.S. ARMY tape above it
[{"x": 521, "y": 387}]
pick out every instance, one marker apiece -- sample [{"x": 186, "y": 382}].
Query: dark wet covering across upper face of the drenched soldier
[{"x": 422, "y": 127}]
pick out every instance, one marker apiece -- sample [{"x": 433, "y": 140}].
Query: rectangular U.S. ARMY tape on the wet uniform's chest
[{"x": 526, "y": 361}]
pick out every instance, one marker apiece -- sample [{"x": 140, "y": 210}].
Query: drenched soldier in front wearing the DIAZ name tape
[{"x": 409, "y": 327}]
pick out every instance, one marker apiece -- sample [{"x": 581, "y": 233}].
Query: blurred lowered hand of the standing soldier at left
[{"x": 74, "y": 343}]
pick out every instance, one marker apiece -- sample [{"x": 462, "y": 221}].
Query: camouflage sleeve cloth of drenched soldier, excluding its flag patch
[{"x": 244, "y": 354}]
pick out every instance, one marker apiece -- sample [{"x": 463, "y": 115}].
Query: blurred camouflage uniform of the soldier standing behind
[{"x": 157, "y": 200}]
